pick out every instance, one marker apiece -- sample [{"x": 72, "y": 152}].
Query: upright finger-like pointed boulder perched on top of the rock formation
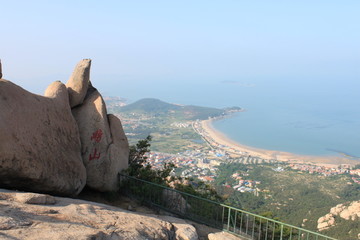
[{"x": 78, "y": 82}]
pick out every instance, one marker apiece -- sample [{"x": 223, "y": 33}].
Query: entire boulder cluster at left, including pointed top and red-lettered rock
[{"x": 47, "y": 146}]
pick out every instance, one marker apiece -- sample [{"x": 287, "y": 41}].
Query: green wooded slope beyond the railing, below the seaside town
[{"x": 293, "y": 197}]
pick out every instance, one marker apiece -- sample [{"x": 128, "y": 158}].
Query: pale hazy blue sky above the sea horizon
[{"x": 142, "y": 45}]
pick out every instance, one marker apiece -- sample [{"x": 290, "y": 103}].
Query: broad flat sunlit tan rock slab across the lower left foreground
[{"x": 77, "y": 219}]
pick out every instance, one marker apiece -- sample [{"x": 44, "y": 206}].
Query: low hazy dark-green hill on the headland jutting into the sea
[{"x": 186, "y": 112}]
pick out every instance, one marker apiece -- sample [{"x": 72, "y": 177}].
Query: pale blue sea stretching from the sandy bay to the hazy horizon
[{"x": 310, "y": 116}]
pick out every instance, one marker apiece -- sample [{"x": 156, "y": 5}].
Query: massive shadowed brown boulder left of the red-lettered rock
[{"x": 39, "y": 141}]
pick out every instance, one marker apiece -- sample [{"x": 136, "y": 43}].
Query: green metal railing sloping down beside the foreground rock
[{"x": 242, "y": 223}]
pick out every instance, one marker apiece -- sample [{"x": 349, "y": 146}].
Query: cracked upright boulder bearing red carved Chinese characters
[{"x": 104, "y": 146}]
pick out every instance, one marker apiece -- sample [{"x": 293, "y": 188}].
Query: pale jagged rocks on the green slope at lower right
[{"x": 346, "y": 211}]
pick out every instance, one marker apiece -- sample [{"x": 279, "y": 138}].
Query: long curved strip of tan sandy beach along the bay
[{"x": 220, "y": 138}]
